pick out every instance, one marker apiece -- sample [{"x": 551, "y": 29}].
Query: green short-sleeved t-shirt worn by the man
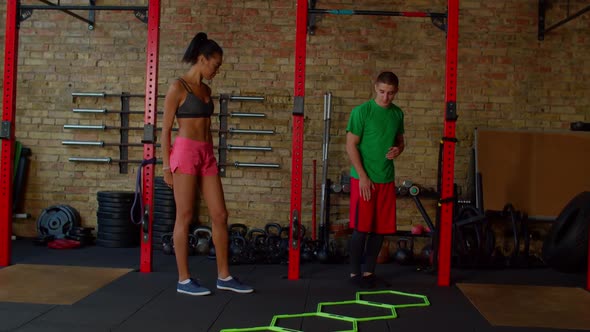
[{"x": 377, "y": 128}]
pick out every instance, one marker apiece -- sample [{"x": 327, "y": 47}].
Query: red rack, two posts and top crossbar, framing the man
[{"x": 448, "y": 140}]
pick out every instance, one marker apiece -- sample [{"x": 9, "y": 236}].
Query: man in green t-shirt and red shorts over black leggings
[{"x": 374, "y": 138}]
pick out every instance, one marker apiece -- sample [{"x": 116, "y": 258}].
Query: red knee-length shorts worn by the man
[{"x": 376, "y": 215}]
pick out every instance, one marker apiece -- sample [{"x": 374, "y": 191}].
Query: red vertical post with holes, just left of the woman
[{"x": 149, "y": 139}]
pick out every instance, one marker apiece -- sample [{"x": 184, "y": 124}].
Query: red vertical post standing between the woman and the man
[{"x": 297, "y": 141}]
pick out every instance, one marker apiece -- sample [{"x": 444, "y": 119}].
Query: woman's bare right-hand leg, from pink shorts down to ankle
[{"x": 212, "y": 191}]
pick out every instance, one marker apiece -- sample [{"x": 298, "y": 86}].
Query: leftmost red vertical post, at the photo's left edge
[{"x": 7, "y": 130}]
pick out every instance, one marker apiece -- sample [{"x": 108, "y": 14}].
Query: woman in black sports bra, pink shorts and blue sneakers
[{"x": 190, "y": 164}]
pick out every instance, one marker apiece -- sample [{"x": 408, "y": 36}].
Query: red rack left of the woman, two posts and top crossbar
[{"x": 15, "y": 12}]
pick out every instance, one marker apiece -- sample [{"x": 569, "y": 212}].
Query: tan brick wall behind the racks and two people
[{"x": 506, "y": 78}]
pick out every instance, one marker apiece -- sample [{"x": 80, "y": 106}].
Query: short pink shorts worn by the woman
[{"x": 192, "y": 157}]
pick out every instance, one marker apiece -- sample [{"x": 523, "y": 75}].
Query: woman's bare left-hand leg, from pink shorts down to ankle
[{"x": 185, "y": 191}]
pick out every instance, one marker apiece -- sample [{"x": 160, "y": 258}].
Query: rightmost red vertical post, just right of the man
[{"x": 449, "y": 140}]
